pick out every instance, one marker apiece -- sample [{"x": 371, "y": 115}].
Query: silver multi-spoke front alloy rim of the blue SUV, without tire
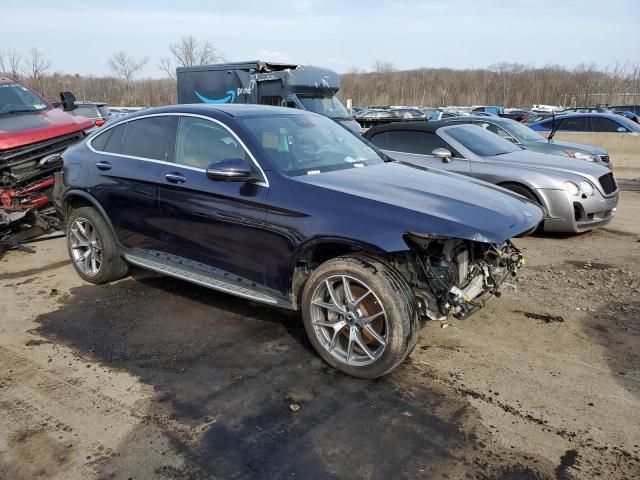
[{"x": 349, "y": 320}]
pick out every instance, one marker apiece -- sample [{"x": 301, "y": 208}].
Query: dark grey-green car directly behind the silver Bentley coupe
[{"x": 520, "y": 135}]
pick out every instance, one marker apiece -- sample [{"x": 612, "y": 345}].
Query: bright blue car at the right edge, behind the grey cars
[{"x": 587, "y": 122}]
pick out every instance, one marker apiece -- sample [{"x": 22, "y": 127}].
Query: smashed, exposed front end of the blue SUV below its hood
[{"x": 456, "y": 276}]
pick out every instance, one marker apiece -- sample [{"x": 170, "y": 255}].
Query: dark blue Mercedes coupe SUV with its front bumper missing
[{"x": 288, "y": 208}]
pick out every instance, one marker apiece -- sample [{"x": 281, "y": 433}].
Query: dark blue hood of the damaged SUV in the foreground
[{"x": 430, "y": 201}]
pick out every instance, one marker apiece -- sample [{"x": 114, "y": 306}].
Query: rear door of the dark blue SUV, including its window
[{"x": 126, "y": 167}]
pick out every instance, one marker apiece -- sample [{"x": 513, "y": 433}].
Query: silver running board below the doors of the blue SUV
[{"x": 202, "y": 278}]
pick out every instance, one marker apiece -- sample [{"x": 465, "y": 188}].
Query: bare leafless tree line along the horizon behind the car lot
[{"x": 507, "y": 84}]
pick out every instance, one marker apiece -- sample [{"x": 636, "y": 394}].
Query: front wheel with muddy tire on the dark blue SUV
[{"x": 339, "y": 331}]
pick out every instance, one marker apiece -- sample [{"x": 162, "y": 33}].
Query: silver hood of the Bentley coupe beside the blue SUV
[{"x": 543, "y": 162}]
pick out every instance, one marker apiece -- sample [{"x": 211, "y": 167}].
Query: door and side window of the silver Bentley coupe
[{"x": 417, "y": 147}]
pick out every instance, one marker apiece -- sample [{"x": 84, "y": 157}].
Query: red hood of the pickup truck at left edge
[{"x": 27, "y": 128}]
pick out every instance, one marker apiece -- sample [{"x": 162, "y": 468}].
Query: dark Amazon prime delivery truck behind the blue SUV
[{"x": 288, "y": 85}]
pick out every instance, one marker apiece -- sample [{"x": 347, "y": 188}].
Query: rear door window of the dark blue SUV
[{"x": 148, "y": 137}]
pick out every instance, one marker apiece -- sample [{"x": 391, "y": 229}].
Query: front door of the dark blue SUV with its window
[{"x": 216, "y": 223}]
